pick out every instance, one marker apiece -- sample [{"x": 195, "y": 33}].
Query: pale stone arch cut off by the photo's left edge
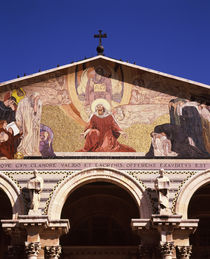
[{"x": 13, "y": 193}]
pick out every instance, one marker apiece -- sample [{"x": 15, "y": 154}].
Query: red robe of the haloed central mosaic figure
[{"x": 102, "y": 136}]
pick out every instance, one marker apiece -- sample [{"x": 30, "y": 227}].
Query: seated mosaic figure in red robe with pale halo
[{"x": 102, "y": 131}]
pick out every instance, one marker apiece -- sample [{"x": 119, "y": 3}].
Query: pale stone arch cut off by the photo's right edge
[{"x": 187, "y": 191}]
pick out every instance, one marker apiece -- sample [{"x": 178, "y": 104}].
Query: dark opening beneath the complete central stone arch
[{"x": 100, "y": 216}]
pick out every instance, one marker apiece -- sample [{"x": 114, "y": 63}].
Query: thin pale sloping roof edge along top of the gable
[{"x": 105, "y": 58}]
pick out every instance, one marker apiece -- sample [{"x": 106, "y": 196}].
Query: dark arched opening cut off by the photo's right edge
[{"x": 199, "y": 208}]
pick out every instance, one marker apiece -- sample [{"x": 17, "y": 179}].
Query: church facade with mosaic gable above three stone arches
[{"x": 104, "y": 159}]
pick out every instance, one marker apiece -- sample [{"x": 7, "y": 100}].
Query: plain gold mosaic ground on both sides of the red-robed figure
[{"x": 67, "y": 131}]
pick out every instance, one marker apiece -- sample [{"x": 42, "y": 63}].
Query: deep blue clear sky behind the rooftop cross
[{"x": 170, "y": 36}]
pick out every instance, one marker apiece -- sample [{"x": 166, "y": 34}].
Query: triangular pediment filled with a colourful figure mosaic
[{"x": 148, "y": 107}]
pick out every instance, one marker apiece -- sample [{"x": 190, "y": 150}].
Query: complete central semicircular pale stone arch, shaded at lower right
[{"x": 123, "y": 180}]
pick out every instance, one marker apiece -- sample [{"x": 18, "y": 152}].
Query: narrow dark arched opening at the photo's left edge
[{"x": 5, "y": 213}]
